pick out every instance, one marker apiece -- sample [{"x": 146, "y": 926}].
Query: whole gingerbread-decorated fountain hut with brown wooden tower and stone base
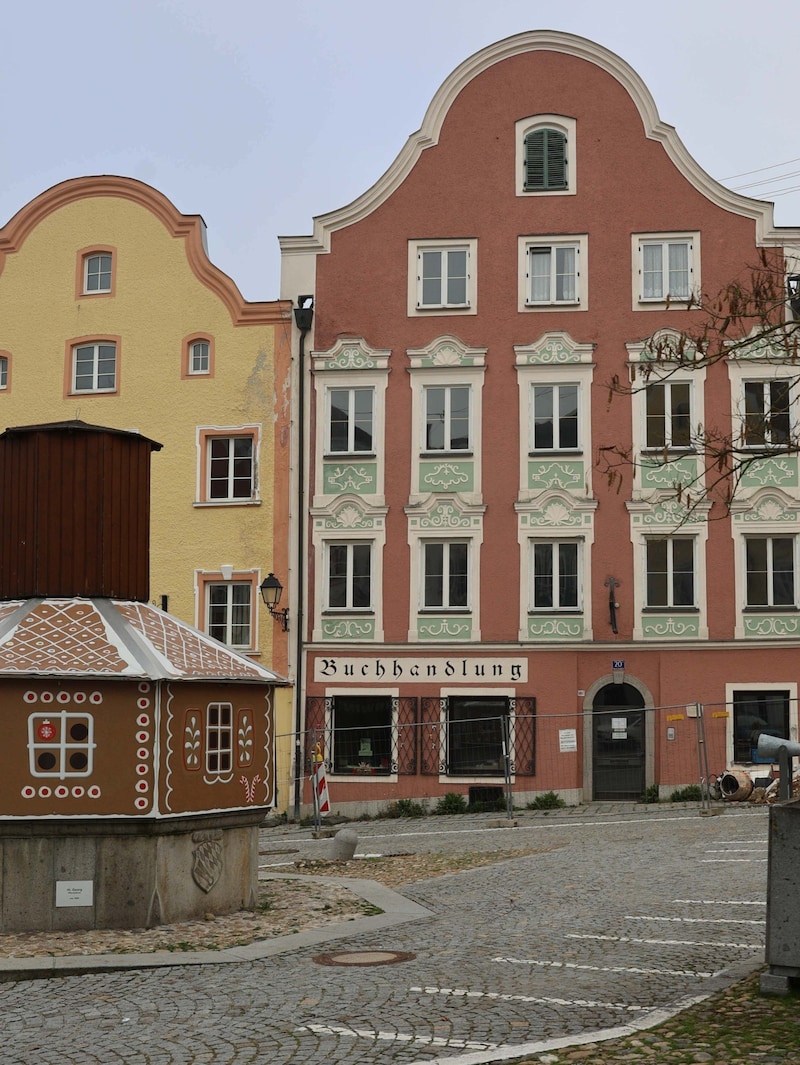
[{"x": 138, "y": 761}]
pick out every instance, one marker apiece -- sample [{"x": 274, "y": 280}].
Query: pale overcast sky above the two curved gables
[{"x": 260, "y": 114}]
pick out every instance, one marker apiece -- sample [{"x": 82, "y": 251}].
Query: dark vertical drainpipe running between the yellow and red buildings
[{"x": 304, "y": 317}]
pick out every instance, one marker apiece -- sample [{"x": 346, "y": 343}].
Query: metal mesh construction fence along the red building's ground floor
[{"x": 427, "y": 751}]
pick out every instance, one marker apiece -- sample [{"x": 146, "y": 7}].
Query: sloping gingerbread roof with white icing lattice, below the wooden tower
[{"x": 102, "y": 637}]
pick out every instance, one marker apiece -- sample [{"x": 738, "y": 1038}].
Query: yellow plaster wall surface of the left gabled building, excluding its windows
[{"x": 165, "y": 290}]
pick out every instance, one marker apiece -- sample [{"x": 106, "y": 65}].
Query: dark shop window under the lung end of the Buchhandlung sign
[{"x": 476, "y": 735}]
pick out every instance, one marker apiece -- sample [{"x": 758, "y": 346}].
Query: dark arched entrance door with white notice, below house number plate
[{"x": 619, "y": 744}]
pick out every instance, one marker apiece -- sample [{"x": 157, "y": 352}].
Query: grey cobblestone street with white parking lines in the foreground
[{"x": 619, "y": 917}]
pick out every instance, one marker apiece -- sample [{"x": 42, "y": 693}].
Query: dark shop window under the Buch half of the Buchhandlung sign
[{"x": 363, "y": 734}]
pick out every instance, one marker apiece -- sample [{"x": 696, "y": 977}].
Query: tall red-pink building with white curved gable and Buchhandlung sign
[{"x": 479, "y": 604}]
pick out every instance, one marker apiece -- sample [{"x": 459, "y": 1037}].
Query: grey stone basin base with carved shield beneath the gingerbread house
[{"x": 124, "y": 875}]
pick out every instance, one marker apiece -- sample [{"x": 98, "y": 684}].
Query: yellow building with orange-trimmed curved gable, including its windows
[{"x": 112, "y": 314}]
